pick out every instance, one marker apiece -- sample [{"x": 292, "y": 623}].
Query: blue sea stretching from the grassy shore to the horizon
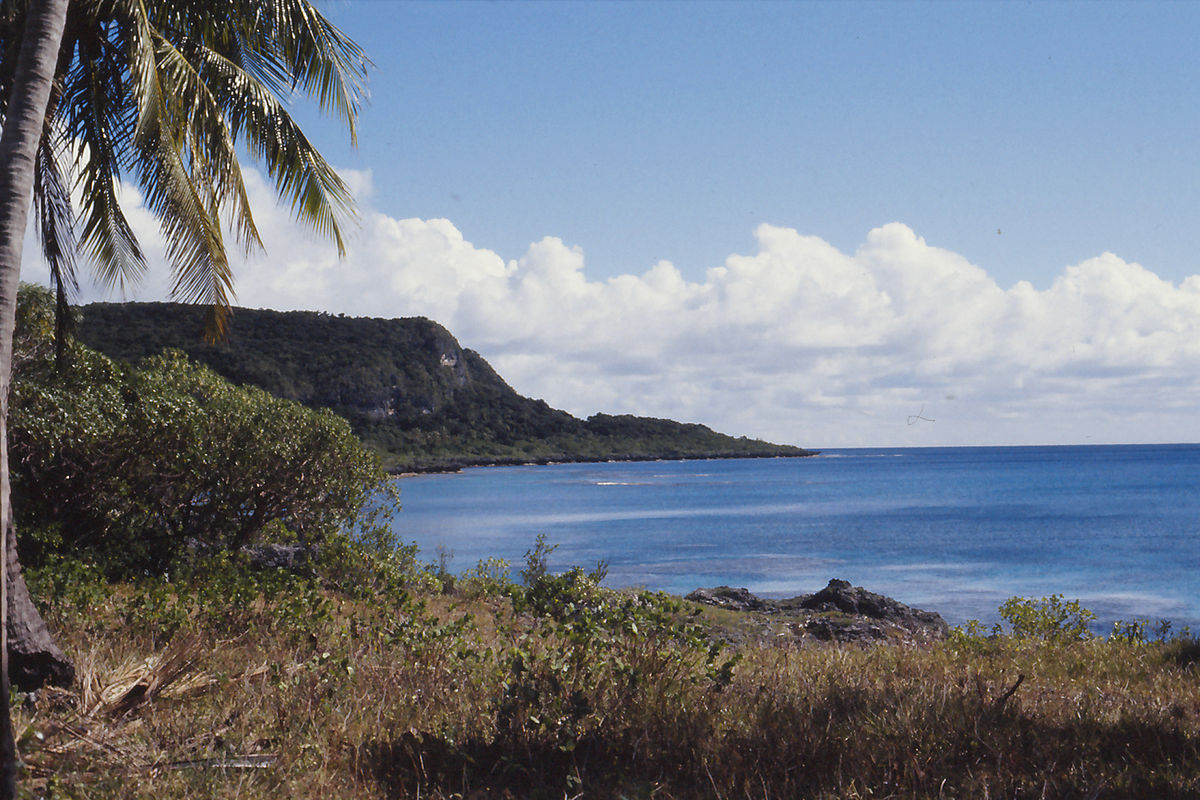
[{"x": 951, "y": 530}]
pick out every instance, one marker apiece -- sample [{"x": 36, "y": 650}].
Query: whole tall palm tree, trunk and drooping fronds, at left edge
[{"x": 163, "y": 94}]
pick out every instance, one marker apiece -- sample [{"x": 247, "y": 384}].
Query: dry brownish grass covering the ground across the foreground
[{"x": 463, "y": 699}]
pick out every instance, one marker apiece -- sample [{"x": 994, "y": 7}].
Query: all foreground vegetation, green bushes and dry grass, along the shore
[{"x": 218, "y": 564}]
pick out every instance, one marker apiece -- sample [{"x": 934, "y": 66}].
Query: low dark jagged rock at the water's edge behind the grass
[{"x": 838, "y": 613}]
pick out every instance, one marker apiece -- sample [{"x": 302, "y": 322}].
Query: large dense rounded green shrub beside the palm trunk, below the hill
[{"x": 136, "y": 465}]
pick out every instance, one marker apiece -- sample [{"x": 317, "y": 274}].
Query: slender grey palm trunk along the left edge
[{"x": 19, "y": 151}]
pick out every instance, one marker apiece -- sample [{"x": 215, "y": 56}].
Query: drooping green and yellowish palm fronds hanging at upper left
[{"x": 169, "y": 92}]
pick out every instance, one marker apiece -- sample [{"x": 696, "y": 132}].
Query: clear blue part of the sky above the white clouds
[{"x": 1024, "y": 137}]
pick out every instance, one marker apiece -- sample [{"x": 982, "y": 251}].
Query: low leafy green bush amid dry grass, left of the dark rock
[{"x": 589, "y": 648}]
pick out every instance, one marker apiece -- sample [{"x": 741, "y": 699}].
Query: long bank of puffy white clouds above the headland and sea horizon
[{"x": 897, "y": 344}]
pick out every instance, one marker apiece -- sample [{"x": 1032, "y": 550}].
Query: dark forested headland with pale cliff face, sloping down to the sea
[{"x": 406, "y": 386}]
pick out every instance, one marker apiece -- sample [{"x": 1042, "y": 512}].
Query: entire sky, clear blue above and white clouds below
[{"x": 829, "y": 225}]
